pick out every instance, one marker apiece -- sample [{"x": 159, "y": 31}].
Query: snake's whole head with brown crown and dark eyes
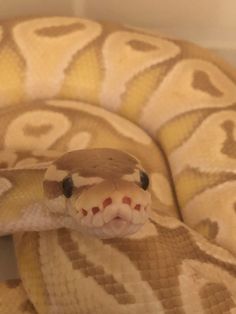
[{"x": 105, "y": 191}]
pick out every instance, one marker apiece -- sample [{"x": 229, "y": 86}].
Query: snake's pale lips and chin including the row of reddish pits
[{"x": 115, "y": 215}]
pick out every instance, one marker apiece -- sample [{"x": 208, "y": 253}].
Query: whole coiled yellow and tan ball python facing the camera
[{"x": 117, "y": 177}]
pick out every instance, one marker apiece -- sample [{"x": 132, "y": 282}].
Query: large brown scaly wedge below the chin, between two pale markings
[{"x": 157, "y": 265}]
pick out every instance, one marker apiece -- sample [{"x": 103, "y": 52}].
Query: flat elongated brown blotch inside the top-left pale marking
[{"x": 61, "y": 30}]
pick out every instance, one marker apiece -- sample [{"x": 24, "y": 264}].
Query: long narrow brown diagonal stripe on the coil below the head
[{"x": 80, "y": 262}]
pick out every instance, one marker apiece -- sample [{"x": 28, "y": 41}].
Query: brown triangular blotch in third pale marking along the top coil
[{"x": 202, "y": 81}]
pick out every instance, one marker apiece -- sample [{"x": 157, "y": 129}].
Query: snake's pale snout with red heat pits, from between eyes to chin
[{"x": 113, "y": 208}]
